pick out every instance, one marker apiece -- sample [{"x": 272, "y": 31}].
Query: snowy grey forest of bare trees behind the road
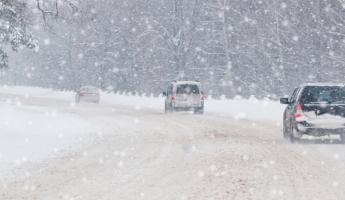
[{"x": 263, "y": 48}]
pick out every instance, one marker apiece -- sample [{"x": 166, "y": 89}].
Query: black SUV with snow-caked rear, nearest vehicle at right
[{"x": 315, "y": 109}]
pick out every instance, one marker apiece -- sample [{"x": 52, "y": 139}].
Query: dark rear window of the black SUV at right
[{"x": 320, "y": 94}]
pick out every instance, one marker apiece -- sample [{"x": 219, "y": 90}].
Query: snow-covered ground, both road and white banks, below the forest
[{"x": 142, "y": 153}]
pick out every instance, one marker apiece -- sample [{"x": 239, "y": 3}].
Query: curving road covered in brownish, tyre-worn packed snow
[{"x": 141, "y": 153}]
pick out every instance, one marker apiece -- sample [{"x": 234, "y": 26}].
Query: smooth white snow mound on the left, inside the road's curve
[{"x": 32, "y": 133}]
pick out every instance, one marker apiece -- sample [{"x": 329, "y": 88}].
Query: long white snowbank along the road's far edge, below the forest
[{"x": 238, "y": 108}]
